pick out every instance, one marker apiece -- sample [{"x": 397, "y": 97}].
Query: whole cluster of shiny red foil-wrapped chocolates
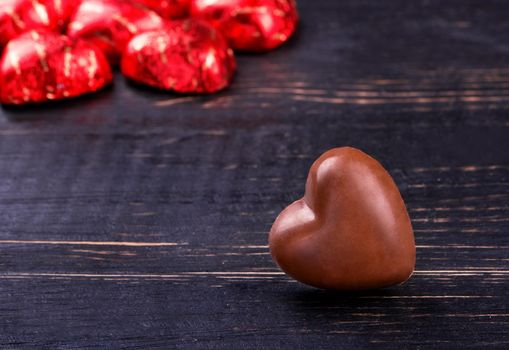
[{"x": 57, "y": 49}]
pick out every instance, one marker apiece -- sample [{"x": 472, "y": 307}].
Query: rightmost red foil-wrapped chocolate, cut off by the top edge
[{"x": 250, "y": 25}]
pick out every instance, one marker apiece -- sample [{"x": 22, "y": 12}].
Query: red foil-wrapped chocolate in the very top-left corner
[{"x": 19, "y": 16}]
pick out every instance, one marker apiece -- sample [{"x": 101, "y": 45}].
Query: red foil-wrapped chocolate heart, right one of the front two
[{"x": 186, "y": 56}]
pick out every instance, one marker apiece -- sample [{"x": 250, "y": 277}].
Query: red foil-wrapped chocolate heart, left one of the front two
[{"x": 40, "y": 65}]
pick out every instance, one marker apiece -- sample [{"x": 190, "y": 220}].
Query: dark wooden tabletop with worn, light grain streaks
[{"x": 138, "y": 219}]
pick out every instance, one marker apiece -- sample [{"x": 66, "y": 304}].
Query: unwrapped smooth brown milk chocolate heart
[{"x": 350, "y": 231}]
